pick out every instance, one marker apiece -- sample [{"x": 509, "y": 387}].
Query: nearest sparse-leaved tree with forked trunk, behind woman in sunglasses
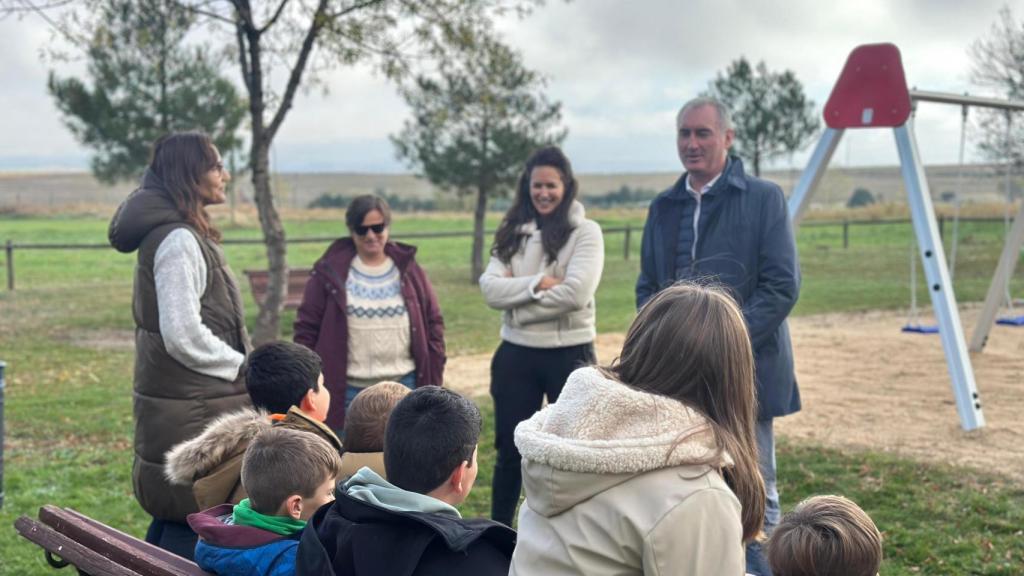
[{"x": 305, "y": 39}]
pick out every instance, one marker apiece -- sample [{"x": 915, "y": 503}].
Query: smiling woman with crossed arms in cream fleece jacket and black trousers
[{"x": 545, "y": 268}]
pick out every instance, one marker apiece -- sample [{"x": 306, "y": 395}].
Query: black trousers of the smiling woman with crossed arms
[{"x": 521, "y": 379}]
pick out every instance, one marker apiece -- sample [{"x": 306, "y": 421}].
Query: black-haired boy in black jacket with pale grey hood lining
[{"x": 408, "y": 525}]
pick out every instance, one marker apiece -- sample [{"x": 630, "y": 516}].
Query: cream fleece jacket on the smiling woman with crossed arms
[{"x": 563, "y": 316}]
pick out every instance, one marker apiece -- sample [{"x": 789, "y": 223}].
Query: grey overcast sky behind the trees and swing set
[{"x": 621, "y": 69}]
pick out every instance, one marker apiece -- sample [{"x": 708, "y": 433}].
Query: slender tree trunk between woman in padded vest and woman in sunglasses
[{"x": 269, "y": 320}]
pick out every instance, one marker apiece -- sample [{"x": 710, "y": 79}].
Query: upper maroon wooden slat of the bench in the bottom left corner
[{"x": 123, "y": 549}]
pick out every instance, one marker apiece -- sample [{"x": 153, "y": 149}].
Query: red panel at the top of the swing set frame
[{"x": 872, "y": 91}]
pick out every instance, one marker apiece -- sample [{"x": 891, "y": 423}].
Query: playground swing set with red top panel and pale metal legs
[{"x": 872, "y": 93}]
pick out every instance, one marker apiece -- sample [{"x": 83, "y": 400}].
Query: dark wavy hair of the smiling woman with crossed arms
[{"x": 556, "y": 229}]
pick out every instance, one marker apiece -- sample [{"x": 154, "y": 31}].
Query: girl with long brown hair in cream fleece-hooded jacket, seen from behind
[{"x": 650, "y": 466}]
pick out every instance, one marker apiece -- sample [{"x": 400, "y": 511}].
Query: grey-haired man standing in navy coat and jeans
[{"x": 719, "y": 225}]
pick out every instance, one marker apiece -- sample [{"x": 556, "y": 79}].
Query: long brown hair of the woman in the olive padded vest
[{"x": 181, "y": 160}]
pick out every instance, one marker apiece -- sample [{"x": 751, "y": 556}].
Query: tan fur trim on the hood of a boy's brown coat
[{"x": 224, "y": 439}]
